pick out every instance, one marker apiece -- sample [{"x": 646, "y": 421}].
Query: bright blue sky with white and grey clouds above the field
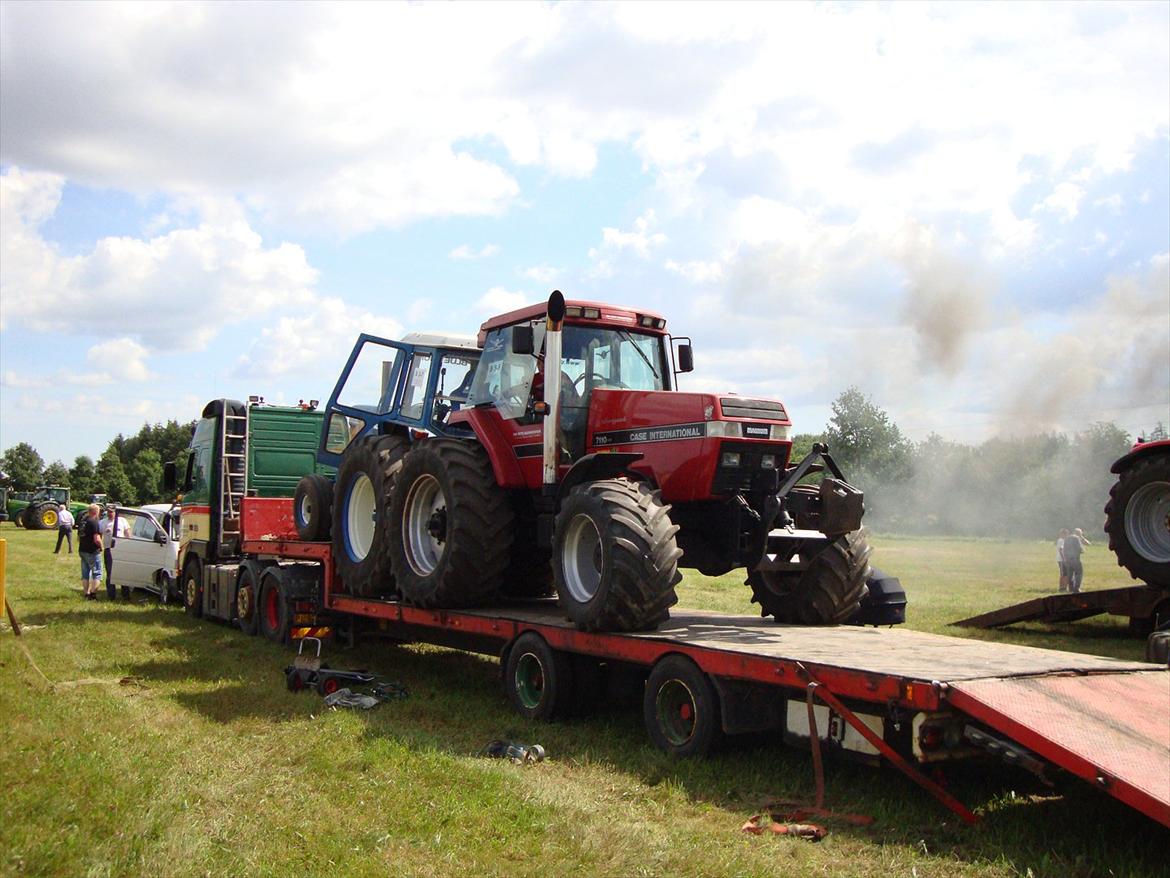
[{"x": 961, "y": 209}]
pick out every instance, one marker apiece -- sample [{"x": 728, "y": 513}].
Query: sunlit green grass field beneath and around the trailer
[{"x": 170, "y": 747}]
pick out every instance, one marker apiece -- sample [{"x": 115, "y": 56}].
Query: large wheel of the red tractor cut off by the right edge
[{"x": 1138, "y": 520}]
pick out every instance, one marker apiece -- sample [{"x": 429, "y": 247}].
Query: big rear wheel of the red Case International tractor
[{"x": 457, "y": 526}]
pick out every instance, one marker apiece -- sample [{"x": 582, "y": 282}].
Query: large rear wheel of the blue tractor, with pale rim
[{"x": 362, "y": 534}]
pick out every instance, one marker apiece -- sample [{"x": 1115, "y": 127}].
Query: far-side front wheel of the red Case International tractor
[{"x": 827, "y": 594}]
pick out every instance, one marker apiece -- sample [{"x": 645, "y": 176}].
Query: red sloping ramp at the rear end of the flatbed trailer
[{"x": 1075, "y": 723}]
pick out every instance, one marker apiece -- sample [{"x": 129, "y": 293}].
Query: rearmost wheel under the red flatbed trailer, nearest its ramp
[{"x": 682, "y": 709}]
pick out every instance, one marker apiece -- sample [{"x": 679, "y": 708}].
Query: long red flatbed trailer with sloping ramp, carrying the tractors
[{"x": 1102, "y": 719}]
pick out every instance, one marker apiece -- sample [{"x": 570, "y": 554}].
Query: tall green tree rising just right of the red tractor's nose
[{"x": 865, "y": 442}]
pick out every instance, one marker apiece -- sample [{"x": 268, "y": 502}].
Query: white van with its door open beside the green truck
[{"x": 147, "y": 550}]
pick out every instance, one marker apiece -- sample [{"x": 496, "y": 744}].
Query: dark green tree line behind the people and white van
[{"x": 129, "y": 471}]
